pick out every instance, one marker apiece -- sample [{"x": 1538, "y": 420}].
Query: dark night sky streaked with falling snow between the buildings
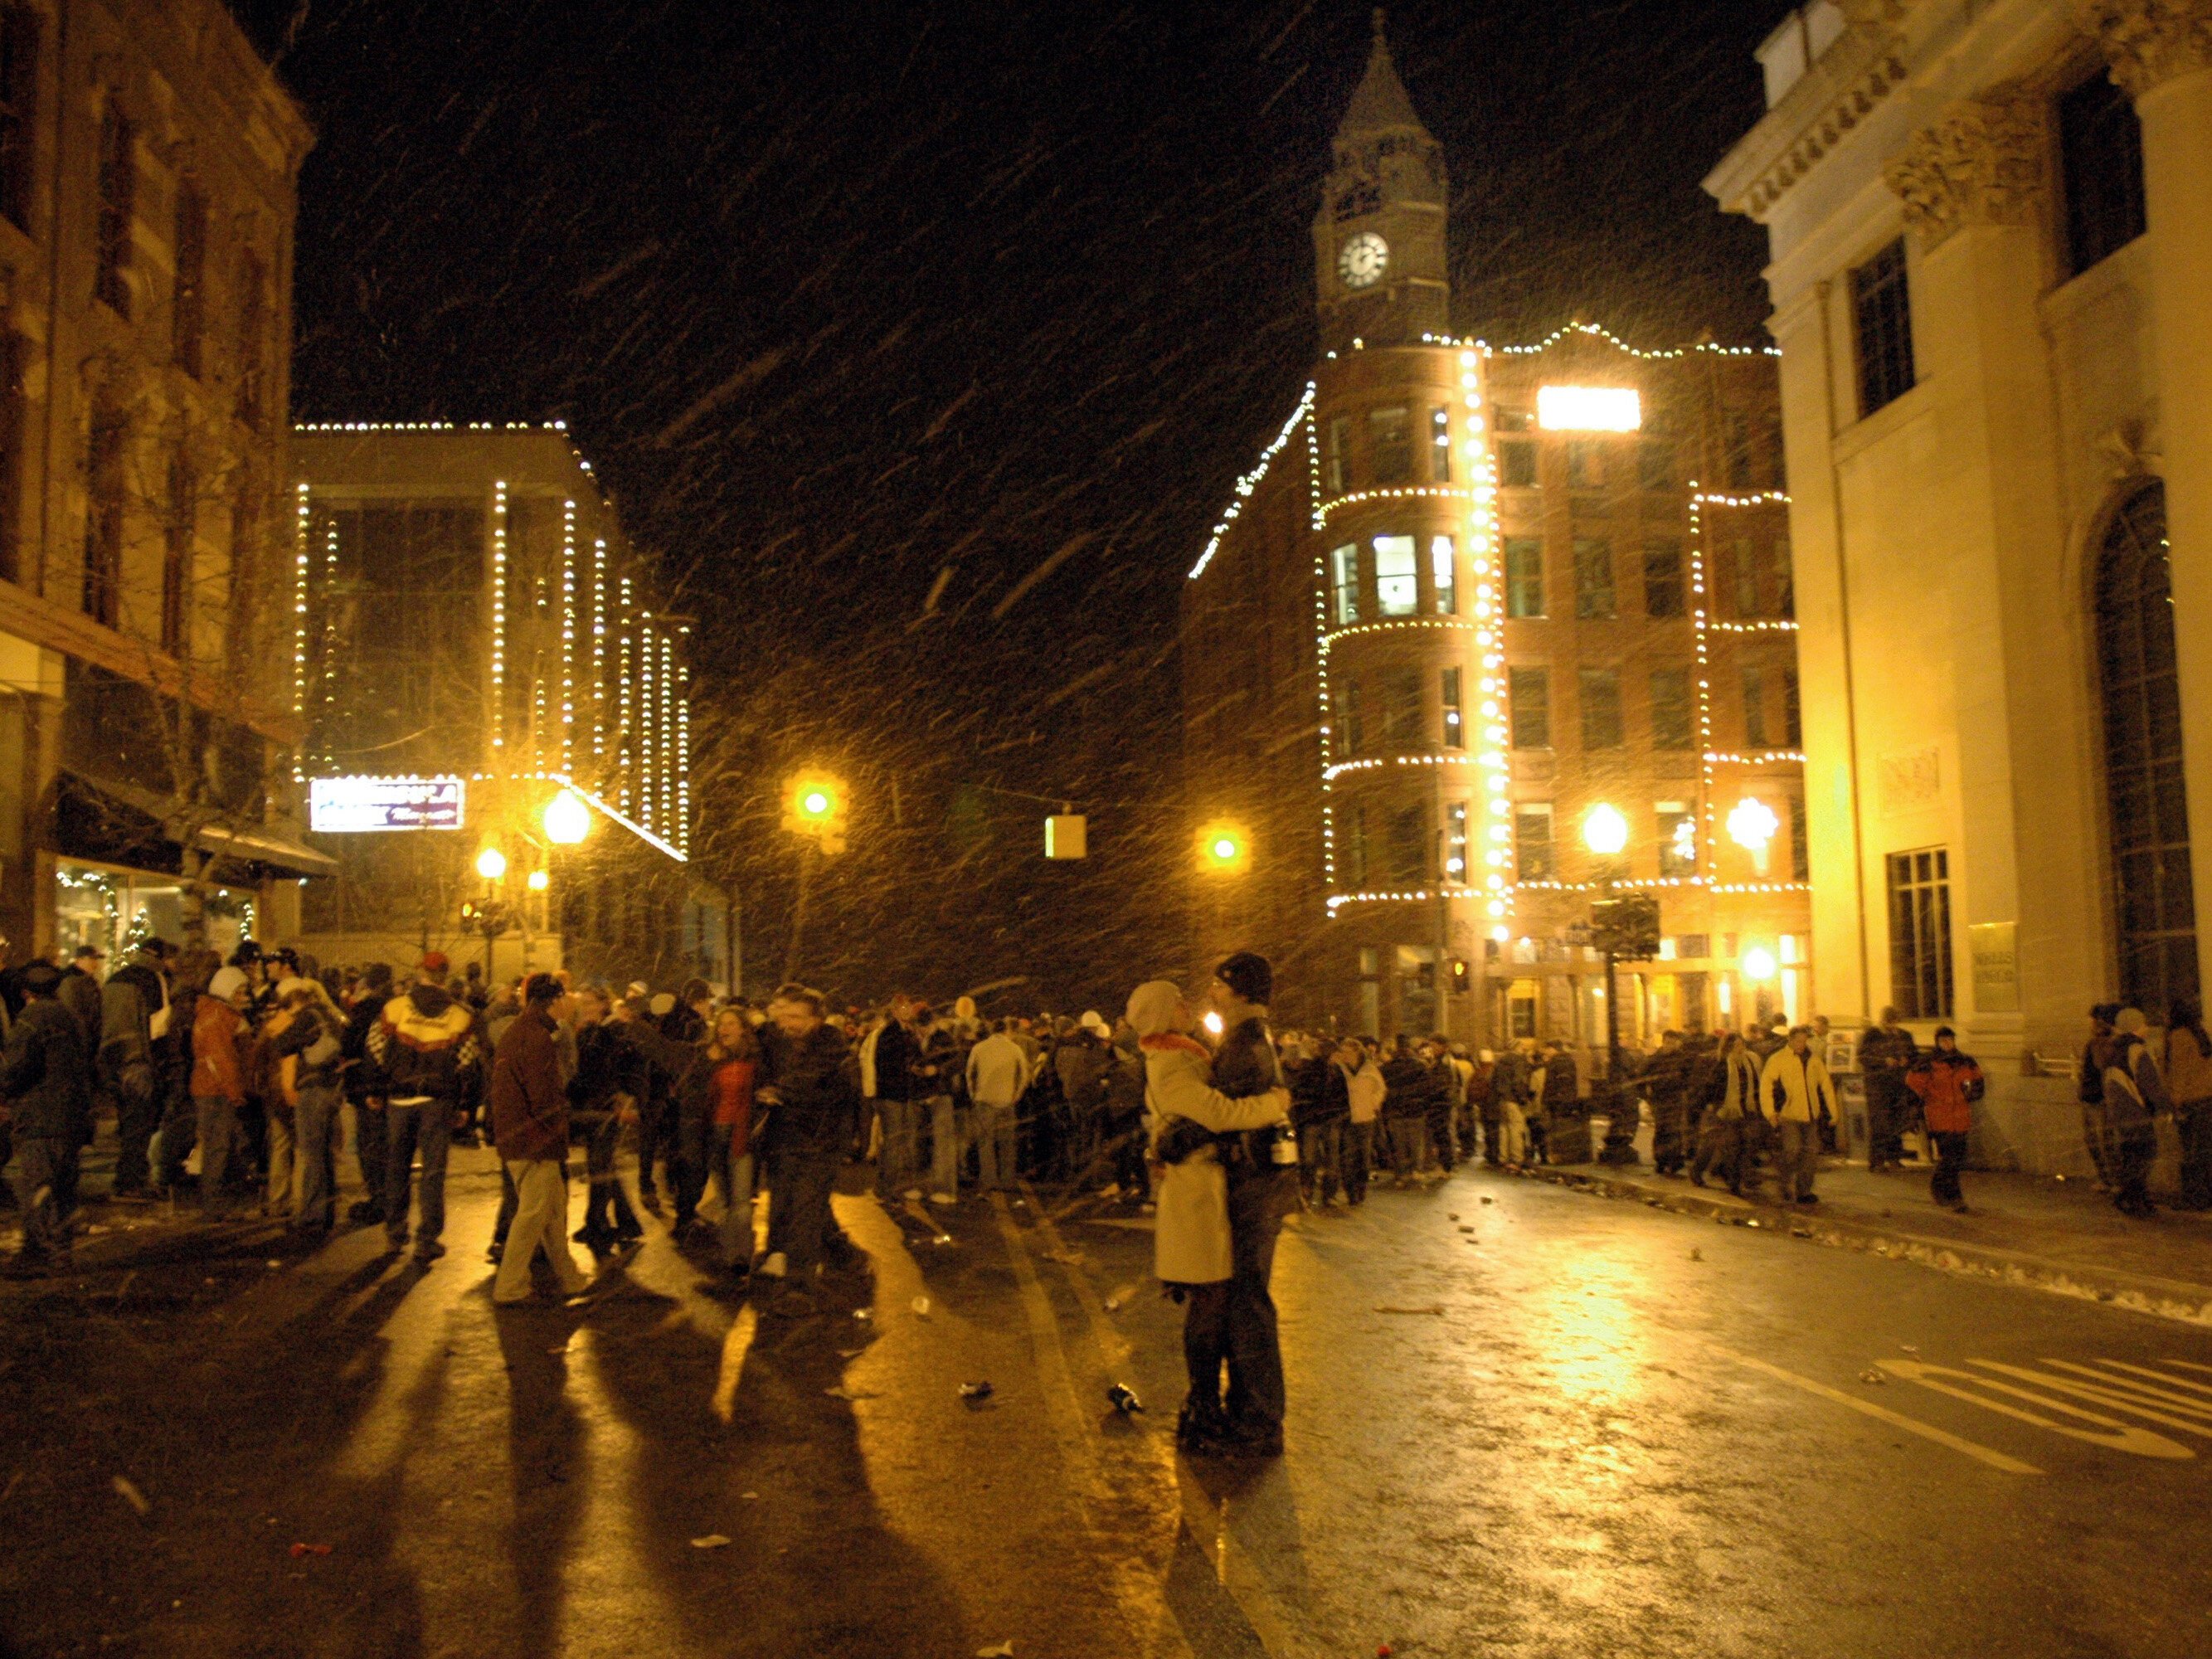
[{"x": 848, "y": 302}]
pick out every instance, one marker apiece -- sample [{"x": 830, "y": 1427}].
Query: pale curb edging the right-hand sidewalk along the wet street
[{"x": 2171, "y": 1300}]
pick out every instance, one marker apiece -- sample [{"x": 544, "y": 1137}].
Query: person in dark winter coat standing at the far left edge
[{"x": 50, "y": 1105}]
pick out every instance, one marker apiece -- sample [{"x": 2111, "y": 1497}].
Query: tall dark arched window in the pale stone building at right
[{"x": 2142, "y": 758}]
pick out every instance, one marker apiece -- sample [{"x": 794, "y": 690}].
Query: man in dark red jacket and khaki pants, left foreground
[{"x": 530, "y": 1120}]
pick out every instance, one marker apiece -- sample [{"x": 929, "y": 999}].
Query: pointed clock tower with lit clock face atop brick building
[{"x": 1379, "y": 238}]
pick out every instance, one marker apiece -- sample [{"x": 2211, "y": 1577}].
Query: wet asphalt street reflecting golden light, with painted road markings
[{"x": 1525, "y": 1421}]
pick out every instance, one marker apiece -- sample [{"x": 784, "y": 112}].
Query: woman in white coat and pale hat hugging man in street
[{"x": 1193, "y": 1227}]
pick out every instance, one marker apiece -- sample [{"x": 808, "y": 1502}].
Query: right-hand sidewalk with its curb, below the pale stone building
[{"x": 2023, "y": 1229}]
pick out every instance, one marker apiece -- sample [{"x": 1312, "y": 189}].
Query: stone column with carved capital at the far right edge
[{"x": 2162, "y": 56}]
